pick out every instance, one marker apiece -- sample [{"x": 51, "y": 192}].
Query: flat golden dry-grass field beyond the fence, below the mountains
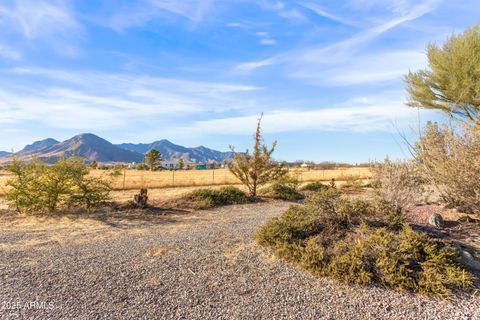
[{"x": 135, "y": 179}]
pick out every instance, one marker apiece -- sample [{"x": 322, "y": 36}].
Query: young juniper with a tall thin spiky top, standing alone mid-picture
[{"x": 257, "y": 168}]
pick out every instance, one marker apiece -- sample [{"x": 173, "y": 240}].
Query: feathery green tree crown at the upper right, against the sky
[{"x": 452, "y": 81}]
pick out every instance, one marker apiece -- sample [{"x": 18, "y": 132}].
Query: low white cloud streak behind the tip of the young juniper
[{"x": 363, "y": 114}]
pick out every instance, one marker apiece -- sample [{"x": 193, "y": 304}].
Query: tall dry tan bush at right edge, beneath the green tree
[{"x": 450, "y": 159}]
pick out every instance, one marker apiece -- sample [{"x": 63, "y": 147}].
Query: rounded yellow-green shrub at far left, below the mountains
[{"x": 36, "y": 187}]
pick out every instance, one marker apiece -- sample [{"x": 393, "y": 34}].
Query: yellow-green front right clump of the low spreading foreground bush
[{"x": 403, "y": 260}]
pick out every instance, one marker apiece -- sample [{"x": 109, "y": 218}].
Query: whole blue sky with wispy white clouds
[{"x": 326, "y": 74}]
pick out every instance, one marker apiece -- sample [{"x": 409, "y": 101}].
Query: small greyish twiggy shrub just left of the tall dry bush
[{"x": 399, "y": 183}]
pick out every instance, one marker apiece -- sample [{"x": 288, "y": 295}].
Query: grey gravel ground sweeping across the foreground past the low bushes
[{"x": 197, "y": 266}]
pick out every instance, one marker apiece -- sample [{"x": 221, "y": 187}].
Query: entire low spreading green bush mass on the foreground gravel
[{"x": 334, "y": 236}]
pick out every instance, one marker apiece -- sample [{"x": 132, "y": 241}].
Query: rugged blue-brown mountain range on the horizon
[{"x": 94, "y": 148}]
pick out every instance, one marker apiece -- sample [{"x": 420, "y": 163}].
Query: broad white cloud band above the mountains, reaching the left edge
[{"x": 86, "y": 100}]
